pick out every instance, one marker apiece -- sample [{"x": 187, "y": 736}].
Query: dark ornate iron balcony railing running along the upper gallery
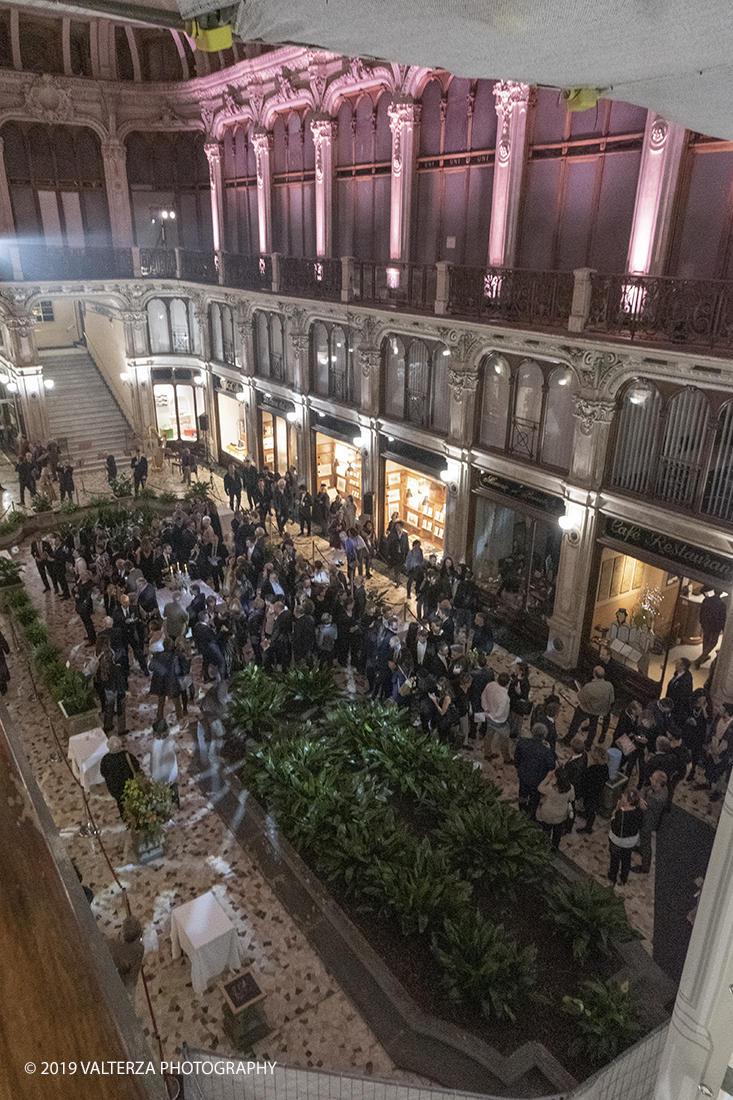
[{"x": 653, "y": 310}]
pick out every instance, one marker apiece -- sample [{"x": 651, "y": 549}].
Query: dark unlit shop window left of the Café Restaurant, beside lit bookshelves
[{"x": 517, "y": 559}]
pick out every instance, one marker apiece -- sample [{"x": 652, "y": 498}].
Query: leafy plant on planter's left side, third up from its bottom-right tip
[{"x": 418, "y": 890}]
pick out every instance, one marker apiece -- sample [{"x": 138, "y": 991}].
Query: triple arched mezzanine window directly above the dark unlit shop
[{"x": 527, "y": 410}]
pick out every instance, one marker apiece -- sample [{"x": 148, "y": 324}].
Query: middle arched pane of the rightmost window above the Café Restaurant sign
[{"x": 683, "y": 447}]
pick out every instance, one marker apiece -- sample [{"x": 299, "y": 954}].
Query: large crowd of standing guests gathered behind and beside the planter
[{"x": 254, "y": 598}]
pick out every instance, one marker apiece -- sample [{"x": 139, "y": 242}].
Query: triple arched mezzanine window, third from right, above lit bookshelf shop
[{"x": 417, "y": 382}]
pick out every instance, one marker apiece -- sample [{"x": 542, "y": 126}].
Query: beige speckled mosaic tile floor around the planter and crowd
[{"x": 314, "y": 1024}]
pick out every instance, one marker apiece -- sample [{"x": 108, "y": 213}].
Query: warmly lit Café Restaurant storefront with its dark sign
[{"x": 646, "y": 609}]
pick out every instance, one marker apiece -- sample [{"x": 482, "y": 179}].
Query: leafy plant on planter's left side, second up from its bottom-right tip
[{"x": 485, "y": 966}]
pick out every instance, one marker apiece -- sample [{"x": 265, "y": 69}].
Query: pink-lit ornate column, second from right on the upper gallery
[{"x": 512, "y": 101}]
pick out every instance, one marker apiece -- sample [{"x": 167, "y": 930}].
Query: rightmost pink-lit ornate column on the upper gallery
[{"x": 662, "y": 156}]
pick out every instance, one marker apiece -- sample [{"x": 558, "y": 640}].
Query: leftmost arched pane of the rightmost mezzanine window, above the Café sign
[{"x": 637, "y": 438}]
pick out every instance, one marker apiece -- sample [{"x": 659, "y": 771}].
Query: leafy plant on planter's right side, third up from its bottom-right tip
[{"x": 494, "y": 842}]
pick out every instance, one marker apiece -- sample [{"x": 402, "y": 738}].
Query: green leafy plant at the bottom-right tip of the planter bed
[{"x": 608, "y": 1020}]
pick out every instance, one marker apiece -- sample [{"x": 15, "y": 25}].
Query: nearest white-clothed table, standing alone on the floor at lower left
[{"x": 205, "y": 933}]
